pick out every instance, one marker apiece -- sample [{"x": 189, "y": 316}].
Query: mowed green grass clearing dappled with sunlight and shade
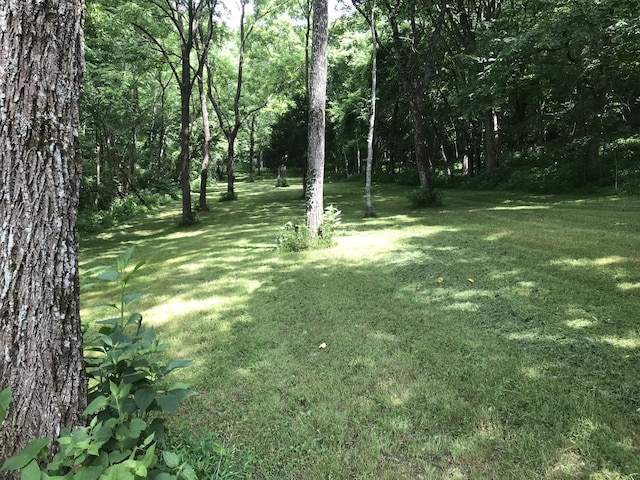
[{"x": 494, "y": 338}]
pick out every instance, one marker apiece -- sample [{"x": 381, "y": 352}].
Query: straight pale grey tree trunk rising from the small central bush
[{"x": 316, "y": 130}]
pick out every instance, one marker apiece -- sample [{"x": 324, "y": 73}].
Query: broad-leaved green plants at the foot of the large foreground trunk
[{"x": 125, "y": 437}]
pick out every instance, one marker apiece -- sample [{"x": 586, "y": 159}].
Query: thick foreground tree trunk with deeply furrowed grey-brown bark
[{"x": 41, "y": 66}]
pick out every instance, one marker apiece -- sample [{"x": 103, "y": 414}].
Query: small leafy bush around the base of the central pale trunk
[{"x": 297, "y": 237}]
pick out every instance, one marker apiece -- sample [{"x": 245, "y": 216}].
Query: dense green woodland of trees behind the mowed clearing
[{"x": 526, "y": 94}]
